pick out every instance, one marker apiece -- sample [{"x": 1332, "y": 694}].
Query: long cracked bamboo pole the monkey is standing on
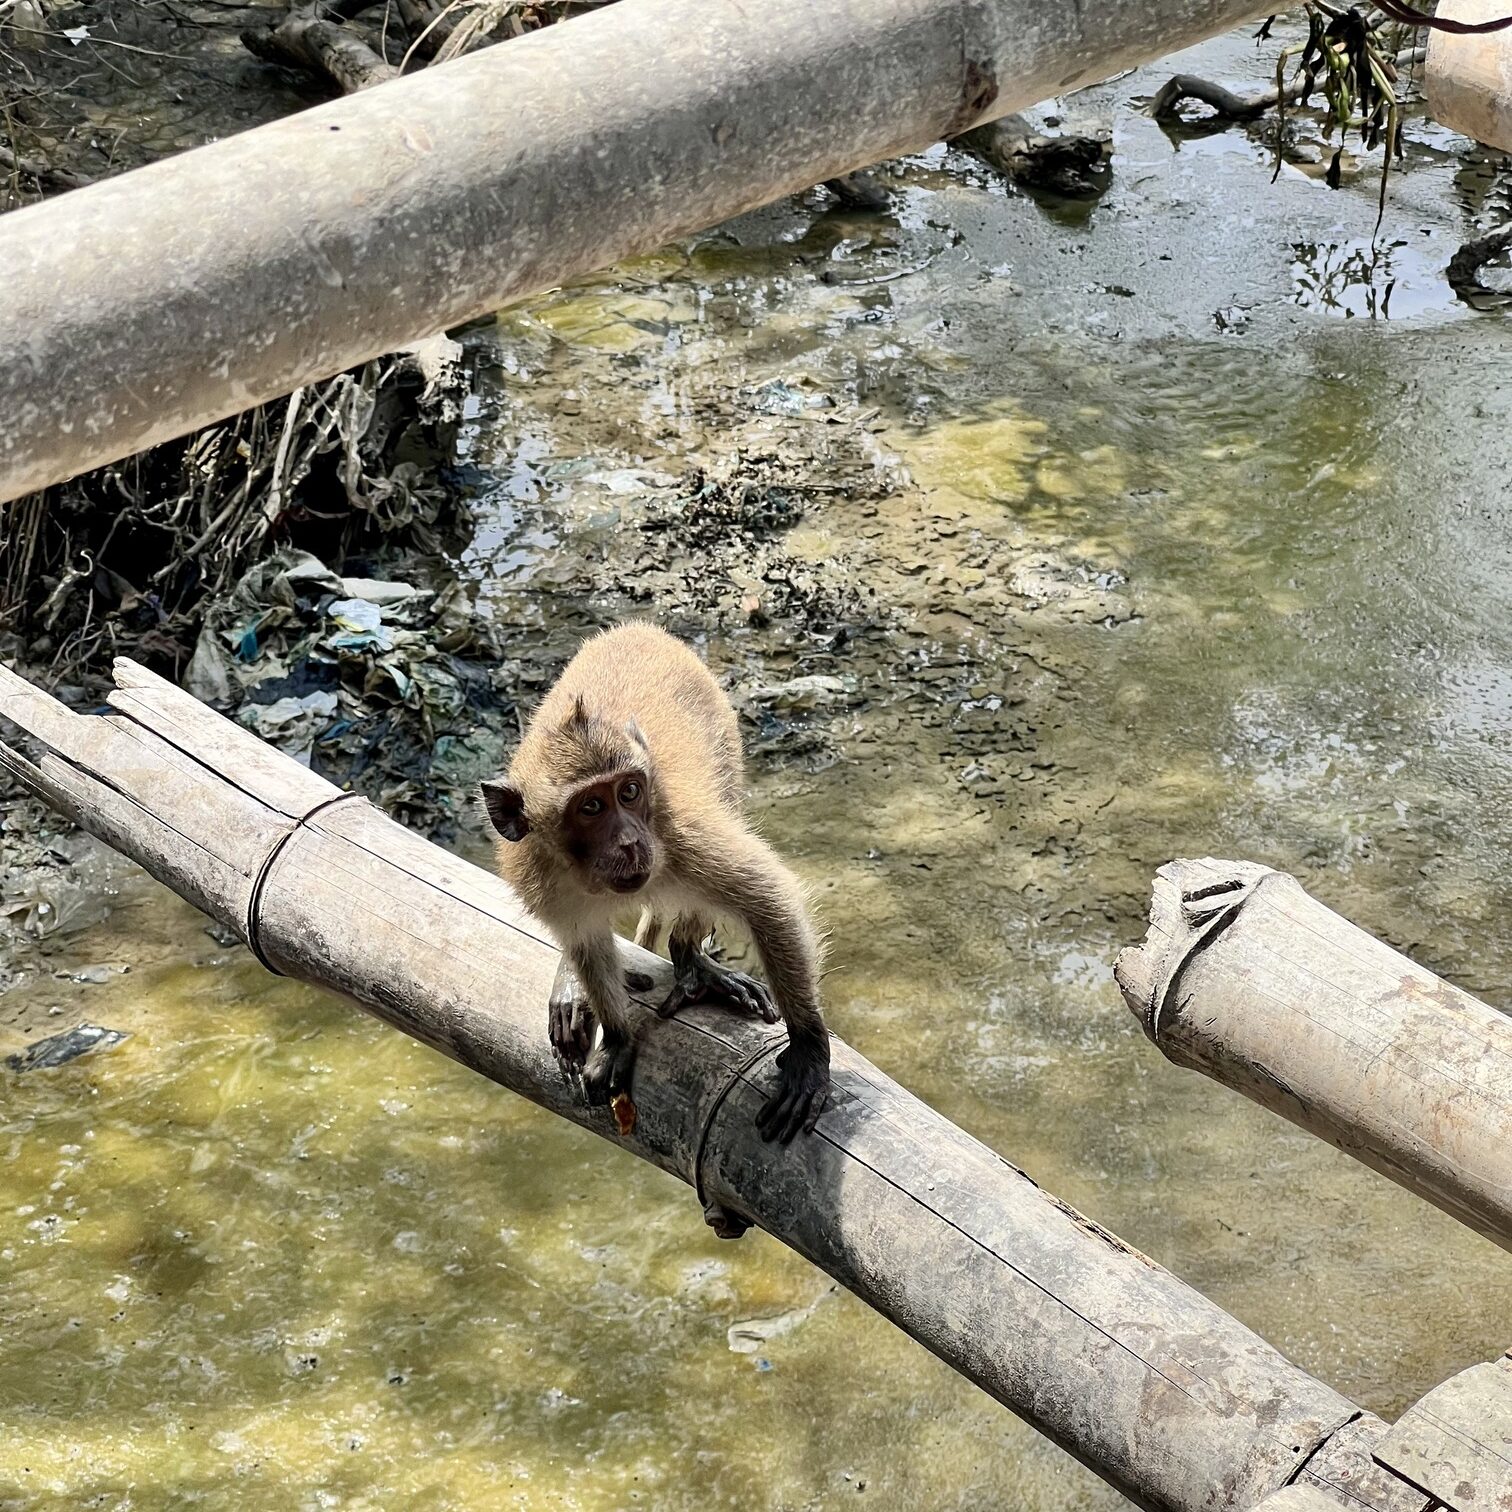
[{"x": 1139, "y": 1377}]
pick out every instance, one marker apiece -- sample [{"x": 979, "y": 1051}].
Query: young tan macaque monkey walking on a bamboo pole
[{"x": 628, "y": 784}]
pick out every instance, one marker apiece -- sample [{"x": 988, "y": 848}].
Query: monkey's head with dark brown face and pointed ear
[{"x": 590, "y": 802}]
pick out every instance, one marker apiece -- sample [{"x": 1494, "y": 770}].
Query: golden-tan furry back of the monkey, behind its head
[{"x": 639, "y": 672}]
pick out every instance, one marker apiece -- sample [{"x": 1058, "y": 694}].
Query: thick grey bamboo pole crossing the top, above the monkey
[{"x": 172, "y": 297}]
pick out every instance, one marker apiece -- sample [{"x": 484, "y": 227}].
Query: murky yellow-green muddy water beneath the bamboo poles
[{"x": 1097, "y": 580}]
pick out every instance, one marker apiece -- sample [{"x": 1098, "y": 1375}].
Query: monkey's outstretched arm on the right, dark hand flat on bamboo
[{"x": 745, "y": 878}]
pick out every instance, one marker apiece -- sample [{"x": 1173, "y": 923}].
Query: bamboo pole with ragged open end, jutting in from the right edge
[{"x": 1260, "y": 987}]
